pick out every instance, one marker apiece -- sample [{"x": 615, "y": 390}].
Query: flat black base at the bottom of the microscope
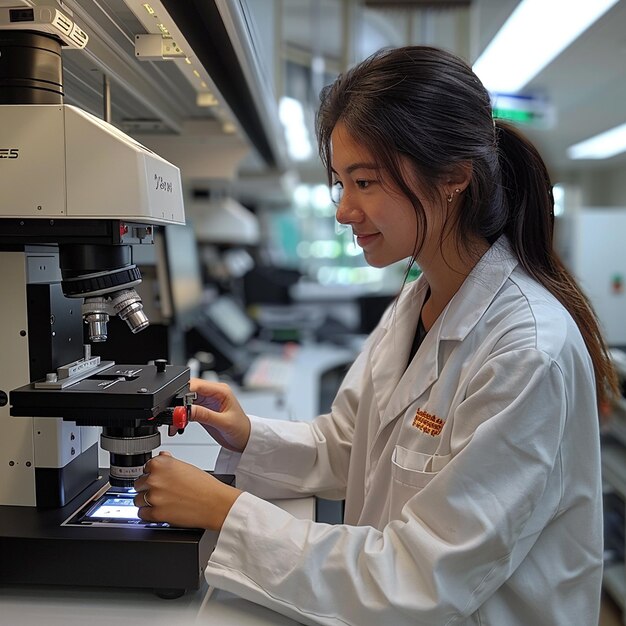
[{"x": 36, "y": 549}]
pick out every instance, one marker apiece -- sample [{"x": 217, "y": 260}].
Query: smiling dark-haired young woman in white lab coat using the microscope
[{"x": 464, "y": 438}]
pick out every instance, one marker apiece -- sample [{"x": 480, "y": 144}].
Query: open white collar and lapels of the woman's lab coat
[{"x": 395, "y": 385}]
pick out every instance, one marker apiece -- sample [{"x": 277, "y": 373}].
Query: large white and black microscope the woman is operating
[{"x": 77, "y": 195}]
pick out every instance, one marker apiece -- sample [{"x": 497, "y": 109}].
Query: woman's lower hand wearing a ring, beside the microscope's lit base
[{"x": 182, "y": 495}]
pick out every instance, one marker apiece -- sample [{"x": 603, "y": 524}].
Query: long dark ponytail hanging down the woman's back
[{"x": 529, "y": 227}]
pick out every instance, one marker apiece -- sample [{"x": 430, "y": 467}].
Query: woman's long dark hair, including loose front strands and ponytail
[{"x": 427, "y": 105}]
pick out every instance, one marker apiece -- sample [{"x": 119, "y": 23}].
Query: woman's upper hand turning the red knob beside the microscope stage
[{"x": 217, "y": 409}]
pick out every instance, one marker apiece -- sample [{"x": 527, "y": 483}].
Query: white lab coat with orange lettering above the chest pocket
[{"x": 495, "y": 520}]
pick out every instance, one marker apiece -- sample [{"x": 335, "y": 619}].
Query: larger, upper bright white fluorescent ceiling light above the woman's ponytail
[{"x": 536, "y": 33}]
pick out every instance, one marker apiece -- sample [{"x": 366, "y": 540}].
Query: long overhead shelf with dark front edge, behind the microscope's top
[{"x": 158, "y": 96}]
